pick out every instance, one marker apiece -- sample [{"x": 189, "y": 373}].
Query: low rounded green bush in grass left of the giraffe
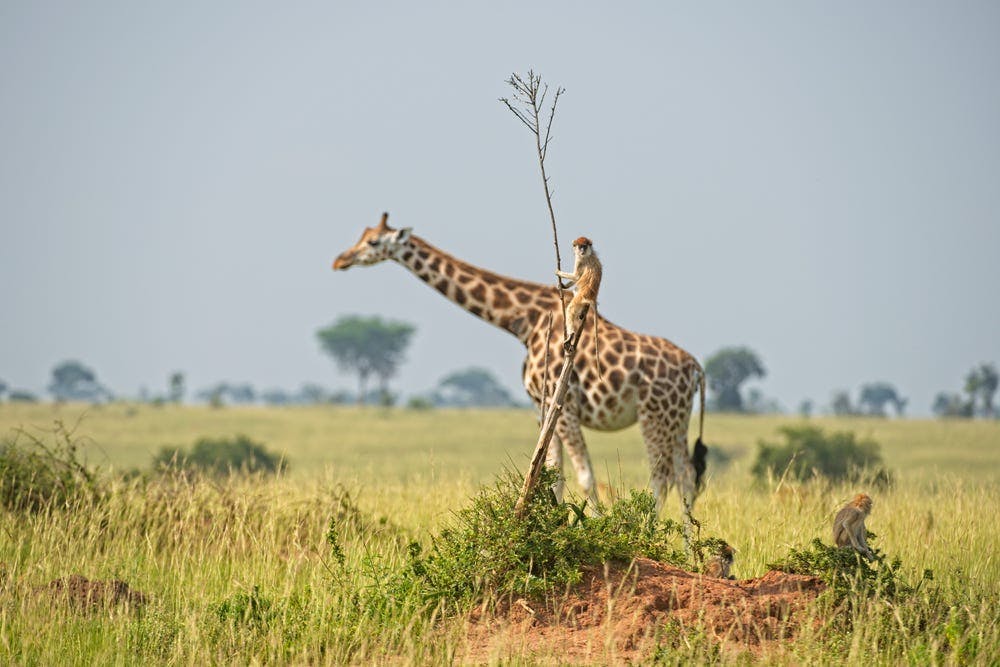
[{"x": 222, "y": 456}]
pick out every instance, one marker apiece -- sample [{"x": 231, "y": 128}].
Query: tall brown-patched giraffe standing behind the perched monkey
[{"x": 644, "y": 379}]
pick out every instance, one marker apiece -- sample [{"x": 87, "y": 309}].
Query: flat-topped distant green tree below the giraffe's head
[{"x": 367, "y": 346}]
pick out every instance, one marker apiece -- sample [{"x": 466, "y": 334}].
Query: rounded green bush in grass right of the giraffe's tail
[{"x": 808, "y": 451}]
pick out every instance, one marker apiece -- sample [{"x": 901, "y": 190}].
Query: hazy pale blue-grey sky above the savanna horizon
[{"x": 818, "y": 181}]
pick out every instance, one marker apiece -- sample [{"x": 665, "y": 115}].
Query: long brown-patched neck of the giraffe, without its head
[{"x": 513, "y": 305}]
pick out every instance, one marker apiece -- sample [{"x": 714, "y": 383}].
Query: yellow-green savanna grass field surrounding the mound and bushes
[{"x": 243, "y": 570}]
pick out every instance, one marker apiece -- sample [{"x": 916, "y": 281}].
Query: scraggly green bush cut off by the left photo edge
[{"x": 35, "y": 476}]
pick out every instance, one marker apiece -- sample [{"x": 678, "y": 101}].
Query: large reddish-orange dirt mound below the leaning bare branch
[{"x": 615, "y": 613}]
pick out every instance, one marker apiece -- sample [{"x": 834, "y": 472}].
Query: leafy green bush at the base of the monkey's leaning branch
[{"x": 488, "y": 550}]
